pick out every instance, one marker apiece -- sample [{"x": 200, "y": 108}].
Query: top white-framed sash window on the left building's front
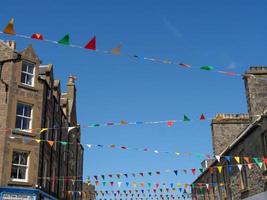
[{"x": 27, "y": 73}]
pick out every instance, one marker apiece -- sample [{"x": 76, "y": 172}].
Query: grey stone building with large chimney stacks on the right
[{"x": 240, "y": 148}]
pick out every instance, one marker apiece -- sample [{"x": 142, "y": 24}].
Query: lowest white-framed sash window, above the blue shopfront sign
[{"x": 19, "y": 171}]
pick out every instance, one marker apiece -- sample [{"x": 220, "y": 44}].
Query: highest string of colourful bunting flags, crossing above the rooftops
[{"x": 116, "y": 51}]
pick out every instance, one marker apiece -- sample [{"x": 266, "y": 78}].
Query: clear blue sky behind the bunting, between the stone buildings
[{"x": 229, "y": 35}]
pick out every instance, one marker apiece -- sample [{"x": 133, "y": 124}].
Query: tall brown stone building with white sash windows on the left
[{"x": 40, "y": 146}]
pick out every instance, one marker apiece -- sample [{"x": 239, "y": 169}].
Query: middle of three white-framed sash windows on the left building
[{"x": 24, "y": 116}]
